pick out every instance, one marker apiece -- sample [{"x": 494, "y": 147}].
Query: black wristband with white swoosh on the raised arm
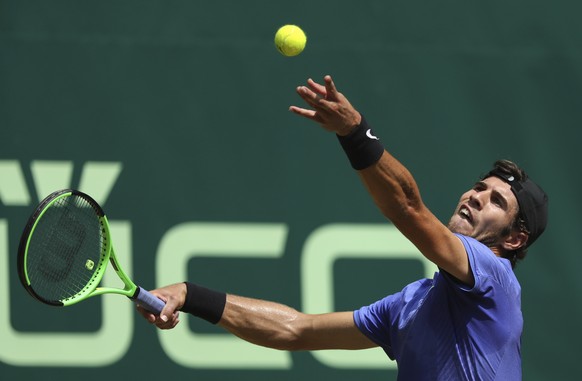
[{"x": 361, "y": 146}]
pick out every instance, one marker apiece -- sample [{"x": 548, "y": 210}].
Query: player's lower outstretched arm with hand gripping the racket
[{"x": 258, "y": 321}]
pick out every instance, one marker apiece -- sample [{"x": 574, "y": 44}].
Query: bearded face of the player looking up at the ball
[{"x": 485, "y": 211}]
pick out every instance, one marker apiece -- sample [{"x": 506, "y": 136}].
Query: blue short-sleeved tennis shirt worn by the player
[{"x": 440, "y": 329}]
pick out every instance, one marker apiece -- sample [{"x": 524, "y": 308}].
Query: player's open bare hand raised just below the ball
[{"x": 330, "y": 108}]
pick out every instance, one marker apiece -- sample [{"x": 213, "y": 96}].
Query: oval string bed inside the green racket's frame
[{"x": 66, "y": 249}]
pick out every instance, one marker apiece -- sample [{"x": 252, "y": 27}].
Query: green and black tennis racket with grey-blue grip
[{"x": 64, "y": 251}]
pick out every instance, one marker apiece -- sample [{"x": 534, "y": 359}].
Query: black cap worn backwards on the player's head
[{"x": 532, "y": 200}]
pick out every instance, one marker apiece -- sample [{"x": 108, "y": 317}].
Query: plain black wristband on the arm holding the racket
[{"x": 204, "y": 303}]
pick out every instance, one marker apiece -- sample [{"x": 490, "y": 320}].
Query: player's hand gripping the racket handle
[{"x": 174, "y": 297}]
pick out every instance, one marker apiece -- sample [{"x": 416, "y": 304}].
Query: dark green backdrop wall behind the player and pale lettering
[{"x": 189, "y": 99}]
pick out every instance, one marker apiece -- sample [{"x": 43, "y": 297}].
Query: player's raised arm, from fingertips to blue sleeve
[{"x": 390, "y": 184}]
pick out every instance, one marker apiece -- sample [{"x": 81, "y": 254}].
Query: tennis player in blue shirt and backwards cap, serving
[{"x": 463, "y": 324}]
